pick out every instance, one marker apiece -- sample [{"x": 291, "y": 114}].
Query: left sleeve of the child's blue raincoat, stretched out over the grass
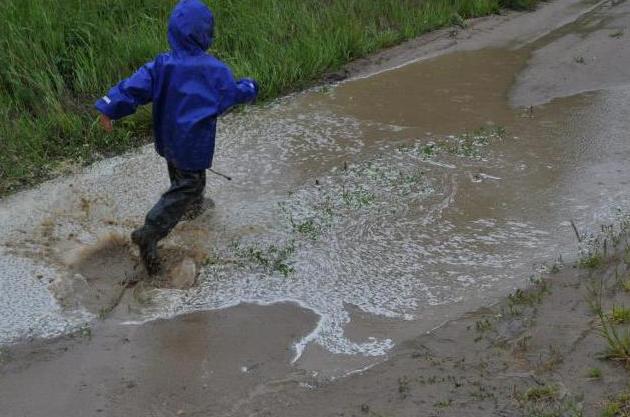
[{"x": 123, "y": 99}]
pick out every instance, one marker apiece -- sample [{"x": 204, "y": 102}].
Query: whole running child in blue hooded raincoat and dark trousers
[{"x": 189, "y": 89}]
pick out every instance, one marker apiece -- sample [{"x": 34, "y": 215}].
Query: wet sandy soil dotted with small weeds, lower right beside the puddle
[{"x": 538, "y": 353}]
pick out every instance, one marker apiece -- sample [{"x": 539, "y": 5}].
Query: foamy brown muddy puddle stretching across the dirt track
[{"x": 385, "y": 205}]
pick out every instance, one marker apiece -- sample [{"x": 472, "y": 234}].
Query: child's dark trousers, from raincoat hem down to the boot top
[{"x": 186, "y": 191}]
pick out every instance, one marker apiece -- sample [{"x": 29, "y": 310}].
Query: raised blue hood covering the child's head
[{"x": 191, "y": 27}]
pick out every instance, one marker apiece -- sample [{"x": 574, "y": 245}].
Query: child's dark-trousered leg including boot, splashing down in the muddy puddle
[{"x": 186, "y": 188}]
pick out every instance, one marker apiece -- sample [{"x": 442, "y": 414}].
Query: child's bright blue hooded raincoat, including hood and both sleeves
[{"x": 188, "y": 87}]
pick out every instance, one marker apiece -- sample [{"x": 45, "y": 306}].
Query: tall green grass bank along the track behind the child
[{"x": 59, "y": 55}]
